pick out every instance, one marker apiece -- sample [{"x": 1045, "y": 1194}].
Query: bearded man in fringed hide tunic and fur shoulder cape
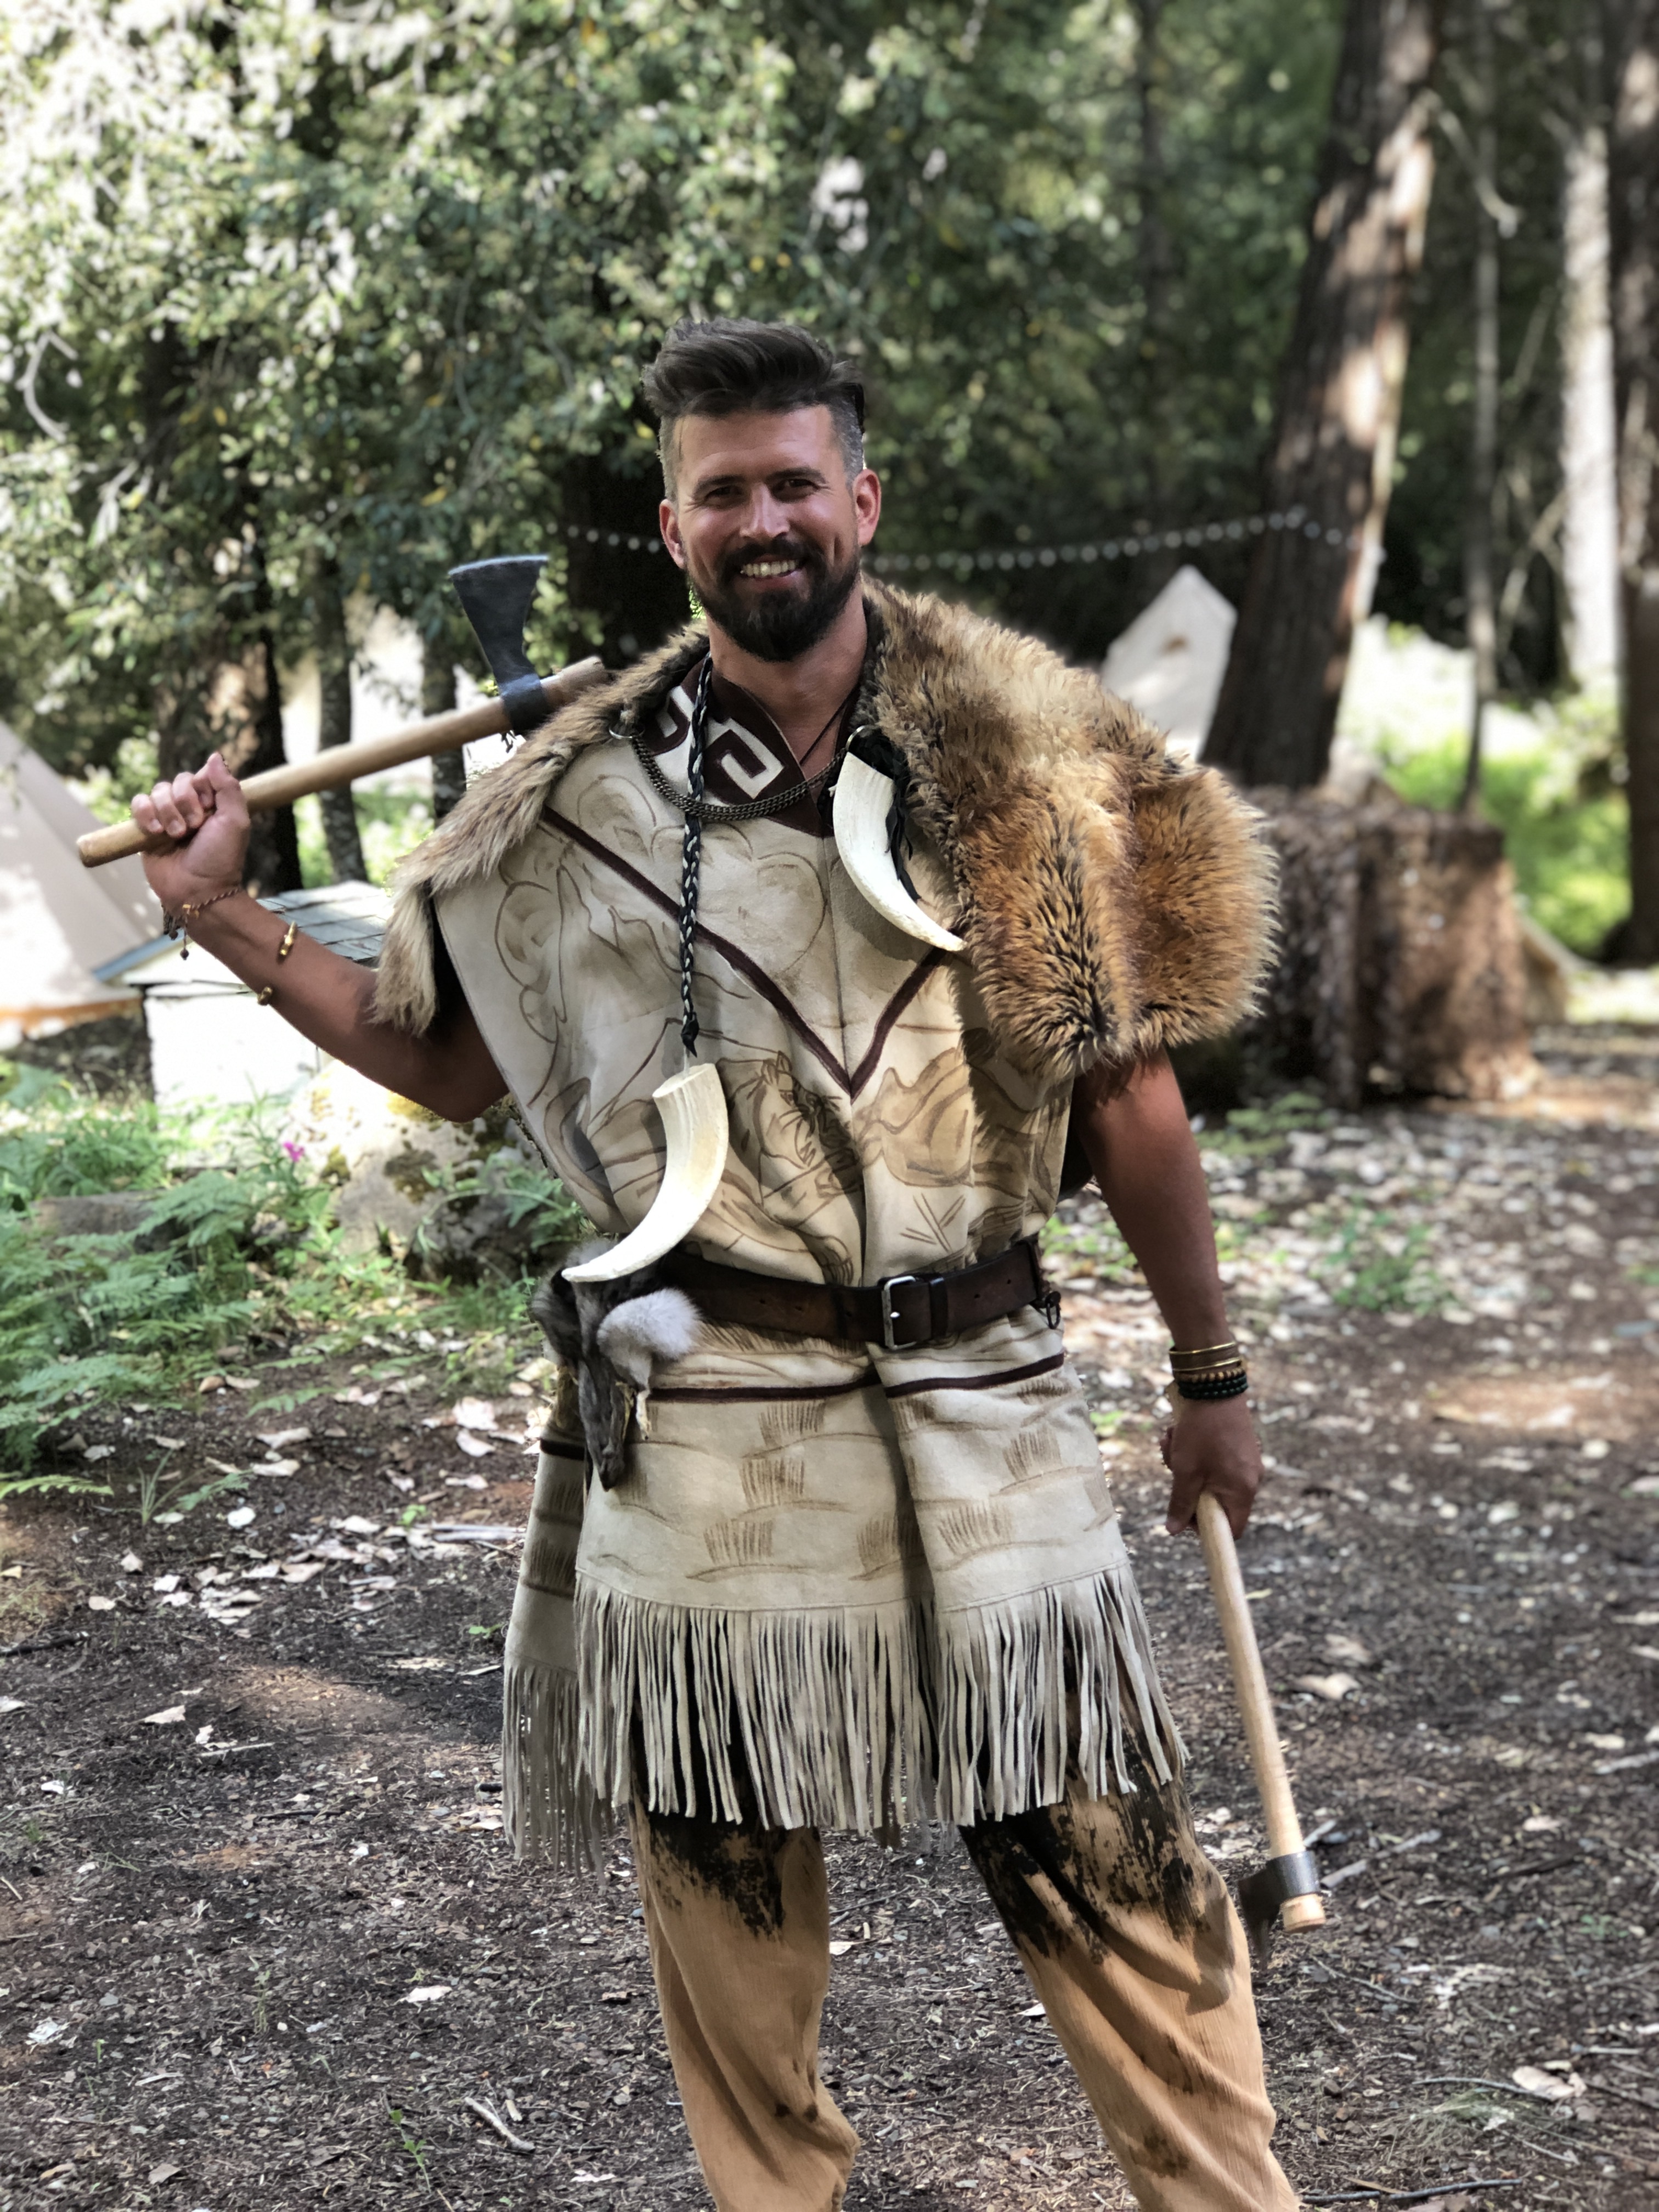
[{"x": 846, "y": 1554}]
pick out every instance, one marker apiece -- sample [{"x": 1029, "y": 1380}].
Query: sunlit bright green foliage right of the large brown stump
[{"x": 1565, "y": 824}]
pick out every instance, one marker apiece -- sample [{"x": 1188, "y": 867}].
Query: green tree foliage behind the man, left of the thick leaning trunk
[{"x": 375, "y": 291}]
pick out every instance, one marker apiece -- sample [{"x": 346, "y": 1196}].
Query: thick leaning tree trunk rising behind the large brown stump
[{"x": 1339, "y": 404}]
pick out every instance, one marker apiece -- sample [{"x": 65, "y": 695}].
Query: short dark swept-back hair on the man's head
[{"x": 733, "y": 366}]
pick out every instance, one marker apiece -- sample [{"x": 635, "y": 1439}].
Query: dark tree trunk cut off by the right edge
[{"x": 1634, "y": 267}]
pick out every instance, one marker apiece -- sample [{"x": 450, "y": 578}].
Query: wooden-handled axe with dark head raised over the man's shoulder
[{"x": 497, "y": 598}]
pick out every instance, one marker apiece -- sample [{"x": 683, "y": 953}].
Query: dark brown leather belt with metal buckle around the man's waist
[{"x": 899, "y": 1313}]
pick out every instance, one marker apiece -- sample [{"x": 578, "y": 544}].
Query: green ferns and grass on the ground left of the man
[{"x": 236, "y": 1264}]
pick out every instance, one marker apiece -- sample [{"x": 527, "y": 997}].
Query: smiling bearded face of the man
[{"x": 769, "y": 528}]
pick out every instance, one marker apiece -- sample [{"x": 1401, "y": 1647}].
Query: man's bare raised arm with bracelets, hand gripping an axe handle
[{"x": 322, "y": 994}]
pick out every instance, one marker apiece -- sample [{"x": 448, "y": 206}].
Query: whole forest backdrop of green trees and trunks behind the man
[{"x": 304, "y": 304}]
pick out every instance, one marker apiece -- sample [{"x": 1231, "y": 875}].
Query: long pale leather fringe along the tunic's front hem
[{"x": 868, "y": 1720}]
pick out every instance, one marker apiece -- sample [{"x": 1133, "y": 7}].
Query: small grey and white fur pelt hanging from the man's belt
[{"x": 614, "y": 1337}]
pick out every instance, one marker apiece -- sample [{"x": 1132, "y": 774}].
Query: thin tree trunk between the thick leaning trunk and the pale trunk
[{"x": 1481, "y": 620}]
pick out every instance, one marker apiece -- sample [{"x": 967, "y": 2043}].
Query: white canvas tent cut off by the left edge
[{"x": 59, "y": 921}]
